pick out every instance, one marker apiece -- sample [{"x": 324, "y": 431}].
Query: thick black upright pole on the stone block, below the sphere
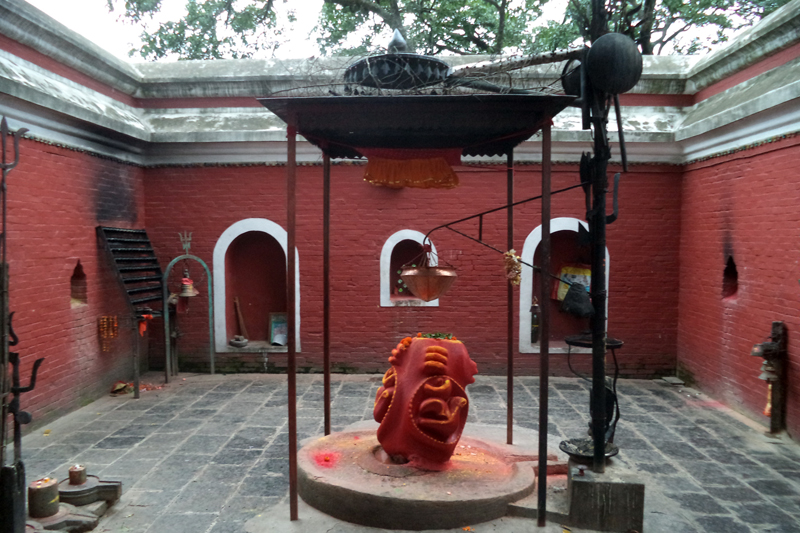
[{"x": 598, "y": 290}]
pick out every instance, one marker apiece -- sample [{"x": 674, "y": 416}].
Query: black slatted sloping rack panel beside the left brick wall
[{"x": 136, "y": 267}]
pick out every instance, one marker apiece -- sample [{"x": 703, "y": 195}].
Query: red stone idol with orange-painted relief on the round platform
[{"x": 422, "y": 406}]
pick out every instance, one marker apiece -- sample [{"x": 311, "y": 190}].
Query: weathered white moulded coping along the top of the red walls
[{"x": 67, "y": 112}]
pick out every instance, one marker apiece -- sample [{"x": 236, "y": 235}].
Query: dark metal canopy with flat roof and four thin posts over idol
[{"x": 319, "y": 119}]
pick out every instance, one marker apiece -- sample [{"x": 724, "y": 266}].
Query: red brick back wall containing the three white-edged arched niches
[{"x": 207, "y": 200}]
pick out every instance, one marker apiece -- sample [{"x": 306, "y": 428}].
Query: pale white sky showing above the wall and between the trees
[{"x": 91, "y": 19}]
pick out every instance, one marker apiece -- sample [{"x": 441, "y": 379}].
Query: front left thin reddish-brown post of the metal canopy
[{"x": 291, "y": 200}]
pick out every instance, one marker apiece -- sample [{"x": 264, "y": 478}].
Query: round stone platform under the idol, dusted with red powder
[{"x": 342, "y": 475}]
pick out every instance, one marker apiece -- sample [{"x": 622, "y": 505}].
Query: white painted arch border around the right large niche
[{"x": 526, "y": 284}]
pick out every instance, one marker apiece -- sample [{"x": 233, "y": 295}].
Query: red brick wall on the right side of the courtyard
[{"x": 746, "y": 206}]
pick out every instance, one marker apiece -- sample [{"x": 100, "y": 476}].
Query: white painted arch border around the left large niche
[{"x": 220, "y": 249}]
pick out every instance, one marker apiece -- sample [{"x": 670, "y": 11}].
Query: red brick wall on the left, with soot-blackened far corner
[{"x": 56, "y": 198}]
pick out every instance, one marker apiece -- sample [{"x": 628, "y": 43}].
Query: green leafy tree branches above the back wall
[{"x": 212, "y": 29}]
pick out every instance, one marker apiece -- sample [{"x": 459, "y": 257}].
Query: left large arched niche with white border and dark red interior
[{"x": 245, "y": 248}]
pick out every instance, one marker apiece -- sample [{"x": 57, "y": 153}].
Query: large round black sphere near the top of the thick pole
[{"x": 614, "y": 63}]
